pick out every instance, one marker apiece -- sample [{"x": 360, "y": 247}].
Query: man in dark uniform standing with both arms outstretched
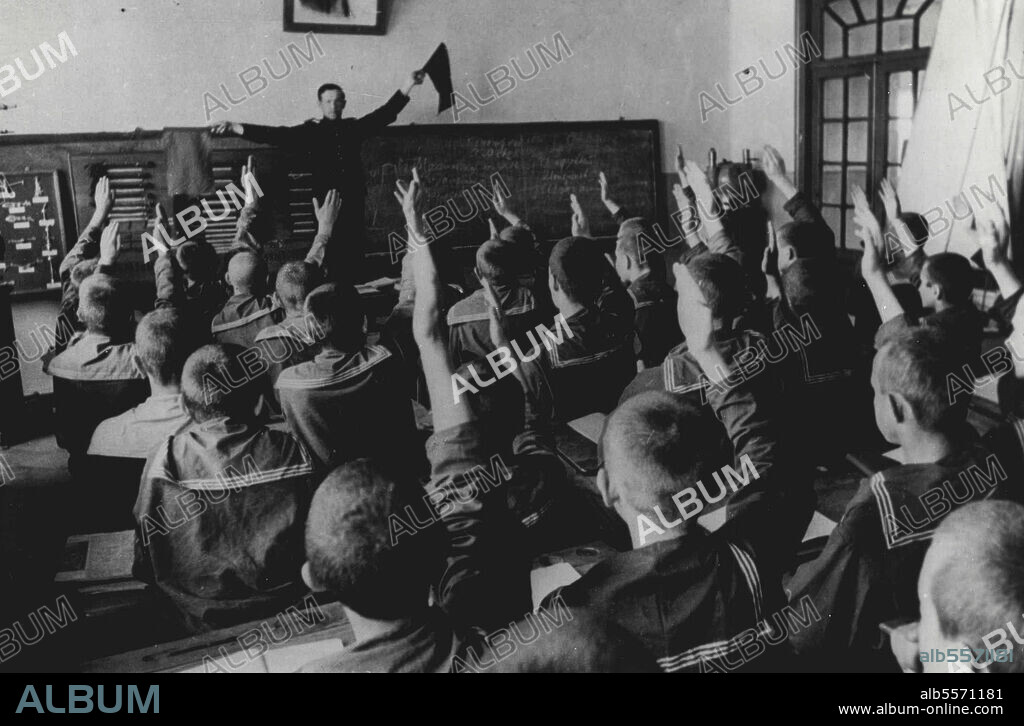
[{"x": 332, "y": 146}]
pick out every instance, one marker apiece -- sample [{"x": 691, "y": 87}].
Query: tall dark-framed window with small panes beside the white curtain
[{"x": 860, "y": 97}]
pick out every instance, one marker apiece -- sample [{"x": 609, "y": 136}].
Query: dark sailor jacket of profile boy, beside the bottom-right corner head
[{"x": 869, "y": 572}]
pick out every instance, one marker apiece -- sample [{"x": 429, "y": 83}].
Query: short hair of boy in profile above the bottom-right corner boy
[{"x": 918, "y": 364}]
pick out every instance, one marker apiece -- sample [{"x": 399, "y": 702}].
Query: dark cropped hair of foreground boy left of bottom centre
[{"x": 361, "y": 545}]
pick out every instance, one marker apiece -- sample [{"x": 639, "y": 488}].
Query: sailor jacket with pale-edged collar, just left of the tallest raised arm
[{"x": 351, "y": 406}]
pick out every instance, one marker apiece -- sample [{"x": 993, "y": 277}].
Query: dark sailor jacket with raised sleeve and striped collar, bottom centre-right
[{"x": 710, "y": 602}]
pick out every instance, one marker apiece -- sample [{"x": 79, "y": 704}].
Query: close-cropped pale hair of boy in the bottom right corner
[{"x": 980, "y": 588}]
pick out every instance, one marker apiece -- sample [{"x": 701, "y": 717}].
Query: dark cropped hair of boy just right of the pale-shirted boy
[{"x": 208, "y": 387}]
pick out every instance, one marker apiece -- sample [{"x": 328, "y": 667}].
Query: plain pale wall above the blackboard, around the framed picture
[{"x": 148, "y": 64}]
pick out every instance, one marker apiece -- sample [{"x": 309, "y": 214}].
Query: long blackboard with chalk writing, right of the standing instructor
[{"x": 541, "y": 164}]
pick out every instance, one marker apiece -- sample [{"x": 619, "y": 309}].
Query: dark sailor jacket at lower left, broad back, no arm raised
[{"x": 222, "y": 511}]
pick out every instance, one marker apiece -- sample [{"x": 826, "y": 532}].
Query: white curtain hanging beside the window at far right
[{"x": 969, "y": 125}]
